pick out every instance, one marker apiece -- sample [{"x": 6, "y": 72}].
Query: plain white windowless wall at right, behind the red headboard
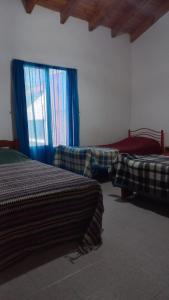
[{"x": 150, "y": 78}]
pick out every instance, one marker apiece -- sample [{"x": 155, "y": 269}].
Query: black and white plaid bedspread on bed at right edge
[{"x": 146, "y": 174}]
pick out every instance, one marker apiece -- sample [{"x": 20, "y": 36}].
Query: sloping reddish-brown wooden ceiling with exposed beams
[{"x": 121, "y": 16}]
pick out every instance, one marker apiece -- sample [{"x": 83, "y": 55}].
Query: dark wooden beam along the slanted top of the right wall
[{"x": 149, "y": 21}]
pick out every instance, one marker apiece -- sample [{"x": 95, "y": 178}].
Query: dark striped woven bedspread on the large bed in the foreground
[{"x": 41, "y": 205}]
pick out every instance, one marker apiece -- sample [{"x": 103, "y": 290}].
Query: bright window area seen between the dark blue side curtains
[{"x": 44, "y": 86}]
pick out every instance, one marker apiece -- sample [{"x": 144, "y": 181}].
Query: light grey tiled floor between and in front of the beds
[{"x": 132, "y": 264}]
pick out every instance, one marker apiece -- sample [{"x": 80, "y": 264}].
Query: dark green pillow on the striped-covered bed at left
[{"x": 8, "y": 156}]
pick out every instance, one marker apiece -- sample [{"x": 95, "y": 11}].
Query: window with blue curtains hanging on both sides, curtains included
[{"x": 46, "y": 108}]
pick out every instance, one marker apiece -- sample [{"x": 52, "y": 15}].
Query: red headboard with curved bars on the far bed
[{"x": 150, "y": 133}]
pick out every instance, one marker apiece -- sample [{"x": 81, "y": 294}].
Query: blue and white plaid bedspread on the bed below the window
[{"x": 85, "y": 160}]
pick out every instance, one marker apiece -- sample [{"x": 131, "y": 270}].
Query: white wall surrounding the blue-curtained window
[{"x": 103, "y": 67}]
